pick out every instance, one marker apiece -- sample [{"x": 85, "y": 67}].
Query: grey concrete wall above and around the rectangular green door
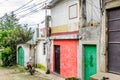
[{"x": 90, "y": 36}]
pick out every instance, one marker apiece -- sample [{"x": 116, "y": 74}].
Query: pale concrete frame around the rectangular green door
[{"x": 81, "y": 56}]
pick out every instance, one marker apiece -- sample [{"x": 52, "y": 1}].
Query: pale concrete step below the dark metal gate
[{"x": 99, "y": 76}]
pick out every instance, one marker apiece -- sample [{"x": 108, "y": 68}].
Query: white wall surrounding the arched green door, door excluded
[{"x": 26, "y": 49}]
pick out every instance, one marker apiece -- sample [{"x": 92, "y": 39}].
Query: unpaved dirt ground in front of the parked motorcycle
[{"x": 13, "y": 74}]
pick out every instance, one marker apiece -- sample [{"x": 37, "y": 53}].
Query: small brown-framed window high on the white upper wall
[{"x": 73, "y": 13}]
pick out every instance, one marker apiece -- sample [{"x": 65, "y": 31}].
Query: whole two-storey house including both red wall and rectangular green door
[{"x": 74, "y": 49}]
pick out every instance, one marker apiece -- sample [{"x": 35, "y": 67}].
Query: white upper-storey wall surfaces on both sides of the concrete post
[{"x": 60, "y": 13}]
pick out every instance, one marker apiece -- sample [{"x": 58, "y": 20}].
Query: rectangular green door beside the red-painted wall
[{"x": 89, "y": 61}]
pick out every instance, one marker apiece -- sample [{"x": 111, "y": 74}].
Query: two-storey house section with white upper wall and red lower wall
[{"x": 64, "y": 31}]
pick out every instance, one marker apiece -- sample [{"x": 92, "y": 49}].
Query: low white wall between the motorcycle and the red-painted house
[{"x": 41, "y": 57}]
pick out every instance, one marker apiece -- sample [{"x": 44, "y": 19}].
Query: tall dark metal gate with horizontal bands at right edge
[{"x": 114, "y": 40}]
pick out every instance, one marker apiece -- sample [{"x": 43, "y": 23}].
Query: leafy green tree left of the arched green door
[{"x": 11, "y": 34}]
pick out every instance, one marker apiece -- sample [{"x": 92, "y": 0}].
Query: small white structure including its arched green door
[{"x": 24, "y": 54}]
